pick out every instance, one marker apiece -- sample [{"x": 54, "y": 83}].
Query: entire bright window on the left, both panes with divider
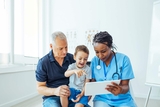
[{"x": 20, "y": 17}]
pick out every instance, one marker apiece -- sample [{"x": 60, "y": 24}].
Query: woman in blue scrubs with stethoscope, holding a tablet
[{"x": 109, "y": 65}]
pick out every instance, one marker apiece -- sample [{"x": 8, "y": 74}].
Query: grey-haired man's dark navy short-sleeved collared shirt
[{"x": 49, "y": 71}]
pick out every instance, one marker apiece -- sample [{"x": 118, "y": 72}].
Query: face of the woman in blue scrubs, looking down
[{"x": 102, "y": 51}]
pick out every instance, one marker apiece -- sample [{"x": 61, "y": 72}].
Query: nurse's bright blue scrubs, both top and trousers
[{"x": 105, "y": 73}]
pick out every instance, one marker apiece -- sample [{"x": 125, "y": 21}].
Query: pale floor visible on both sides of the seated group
[{"x": 36, "y": 102}]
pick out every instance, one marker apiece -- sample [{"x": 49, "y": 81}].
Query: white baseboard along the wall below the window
[{"x": 18, "y": 100}]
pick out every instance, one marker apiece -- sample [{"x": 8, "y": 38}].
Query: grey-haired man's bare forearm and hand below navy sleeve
[{"x": 59, "y": 91}]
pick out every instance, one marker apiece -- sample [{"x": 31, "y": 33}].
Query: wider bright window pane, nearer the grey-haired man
[{"x": 26, "y": 30}]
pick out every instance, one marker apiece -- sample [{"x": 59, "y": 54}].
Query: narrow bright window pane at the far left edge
[{"x": 4, "y": 36}]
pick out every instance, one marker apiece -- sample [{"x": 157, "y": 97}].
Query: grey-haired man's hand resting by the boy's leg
[{"x": 62, "y": 91}]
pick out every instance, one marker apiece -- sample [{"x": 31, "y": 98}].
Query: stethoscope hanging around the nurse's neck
[{"x": 116, "y": 74}]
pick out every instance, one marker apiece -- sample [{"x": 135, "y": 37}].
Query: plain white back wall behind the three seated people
[{"x": 128, "y": 21}]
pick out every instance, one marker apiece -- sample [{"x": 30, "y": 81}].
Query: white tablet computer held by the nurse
[{"x": 97, "y": 88}]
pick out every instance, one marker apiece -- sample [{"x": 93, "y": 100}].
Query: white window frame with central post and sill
[{"x": 10, "y": 59}]
